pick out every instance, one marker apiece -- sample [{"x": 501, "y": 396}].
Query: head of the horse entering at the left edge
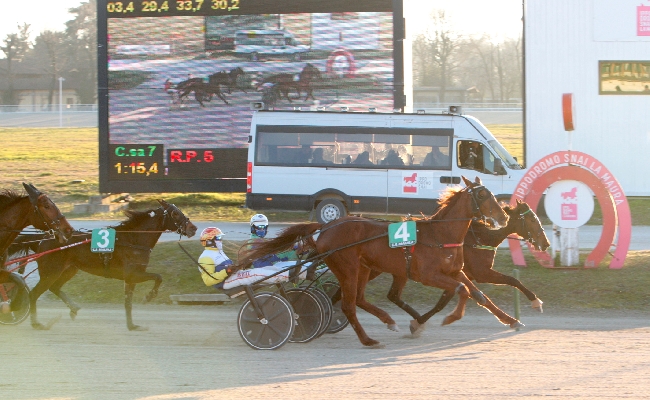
[{"x": 46, "y": 215}]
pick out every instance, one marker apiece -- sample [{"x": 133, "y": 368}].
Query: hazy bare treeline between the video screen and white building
[{"x": 445, "y": 58}]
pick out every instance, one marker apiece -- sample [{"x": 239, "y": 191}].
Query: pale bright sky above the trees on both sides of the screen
[{"x": 499, "y": 17}]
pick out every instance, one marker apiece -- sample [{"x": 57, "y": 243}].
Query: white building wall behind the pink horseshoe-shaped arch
[{"x": 565, "y": 40}]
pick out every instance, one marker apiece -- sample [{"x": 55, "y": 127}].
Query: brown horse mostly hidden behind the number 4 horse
[{"x": 480, "y": 247}]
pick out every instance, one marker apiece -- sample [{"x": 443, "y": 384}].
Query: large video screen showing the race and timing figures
[{"x": 178, "y": 80}]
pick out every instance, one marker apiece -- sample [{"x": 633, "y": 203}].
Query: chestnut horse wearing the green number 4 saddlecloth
[{"x": 351, "y": 246}]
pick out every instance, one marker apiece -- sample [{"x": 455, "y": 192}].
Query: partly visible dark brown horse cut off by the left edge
[{"x": 18, "y": 212}]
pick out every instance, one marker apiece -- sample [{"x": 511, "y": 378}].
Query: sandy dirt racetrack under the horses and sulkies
[{"x": 195, "y": 352}]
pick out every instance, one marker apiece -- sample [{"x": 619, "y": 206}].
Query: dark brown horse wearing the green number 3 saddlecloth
[{"x": 135, "y": 238}]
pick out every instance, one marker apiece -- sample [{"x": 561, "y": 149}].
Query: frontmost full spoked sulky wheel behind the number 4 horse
[{"x": 274, "y": 329}]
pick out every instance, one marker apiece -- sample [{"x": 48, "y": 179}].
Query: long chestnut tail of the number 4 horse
[{"x": 287, "y": 238}]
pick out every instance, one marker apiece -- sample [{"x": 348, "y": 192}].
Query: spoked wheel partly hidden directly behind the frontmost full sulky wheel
[{"x": 309, "y": 314}]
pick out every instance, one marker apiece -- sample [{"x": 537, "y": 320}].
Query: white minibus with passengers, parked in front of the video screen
[{"x": 335, "y": 163}]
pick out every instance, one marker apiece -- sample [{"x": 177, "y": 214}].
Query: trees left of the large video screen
[{"x": 70, "y": 54}]
